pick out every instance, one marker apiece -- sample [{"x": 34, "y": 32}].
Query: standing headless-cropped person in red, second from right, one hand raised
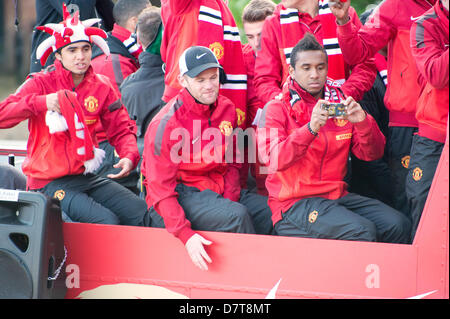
[{"x": 389, "y": 26}]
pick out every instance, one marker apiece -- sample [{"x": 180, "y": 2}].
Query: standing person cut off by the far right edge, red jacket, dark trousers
[{"x": 429, "y": 45}]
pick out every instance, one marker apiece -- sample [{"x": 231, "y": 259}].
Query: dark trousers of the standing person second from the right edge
[{"x": 398, "y": 149}]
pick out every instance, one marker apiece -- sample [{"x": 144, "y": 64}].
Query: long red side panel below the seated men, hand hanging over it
[{"x": 243, "y": 265}]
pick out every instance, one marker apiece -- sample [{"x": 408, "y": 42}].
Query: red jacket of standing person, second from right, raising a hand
[{"x": 390, "y": 25}]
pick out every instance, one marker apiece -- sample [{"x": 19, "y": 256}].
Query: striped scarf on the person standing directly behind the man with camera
[{"x": 292, "y": 32}]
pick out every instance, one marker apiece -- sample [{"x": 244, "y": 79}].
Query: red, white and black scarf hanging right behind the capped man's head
[{"x": 217, "y": 30}]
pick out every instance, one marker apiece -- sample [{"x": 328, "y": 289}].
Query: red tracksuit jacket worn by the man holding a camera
[{"x": 305, "y": 166}]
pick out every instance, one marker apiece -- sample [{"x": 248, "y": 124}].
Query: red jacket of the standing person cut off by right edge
[{"x": 429, "y": 45}]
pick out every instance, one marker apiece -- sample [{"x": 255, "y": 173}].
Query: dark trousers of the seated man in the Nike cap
[{"x": 207, "y": 210}]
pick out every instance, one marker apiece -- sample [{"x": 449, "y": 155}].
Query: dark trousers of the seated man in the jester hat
[{"x": 94, "y": 199}]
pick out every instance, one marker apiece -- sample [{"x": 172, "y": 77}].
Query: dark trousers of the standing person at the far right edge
[{"x": 425, "y": 155}]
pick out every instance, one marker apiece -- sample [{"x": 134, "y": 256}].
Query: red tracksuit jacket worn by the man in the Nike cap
[{"x": 174, "y": 152}]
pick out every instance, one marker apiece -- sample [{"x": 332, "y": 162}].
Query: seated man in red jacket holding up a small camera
[{"x": 308, "y": 158}]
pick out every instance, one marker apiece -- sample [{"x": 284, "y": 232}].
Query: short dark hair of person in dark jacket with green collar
[{"x": 148, "y": 25}]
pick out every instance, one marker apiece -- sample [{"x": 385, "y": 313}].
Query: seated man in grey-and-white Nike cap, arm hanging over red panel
[{"x": 192, "y": 179}]
